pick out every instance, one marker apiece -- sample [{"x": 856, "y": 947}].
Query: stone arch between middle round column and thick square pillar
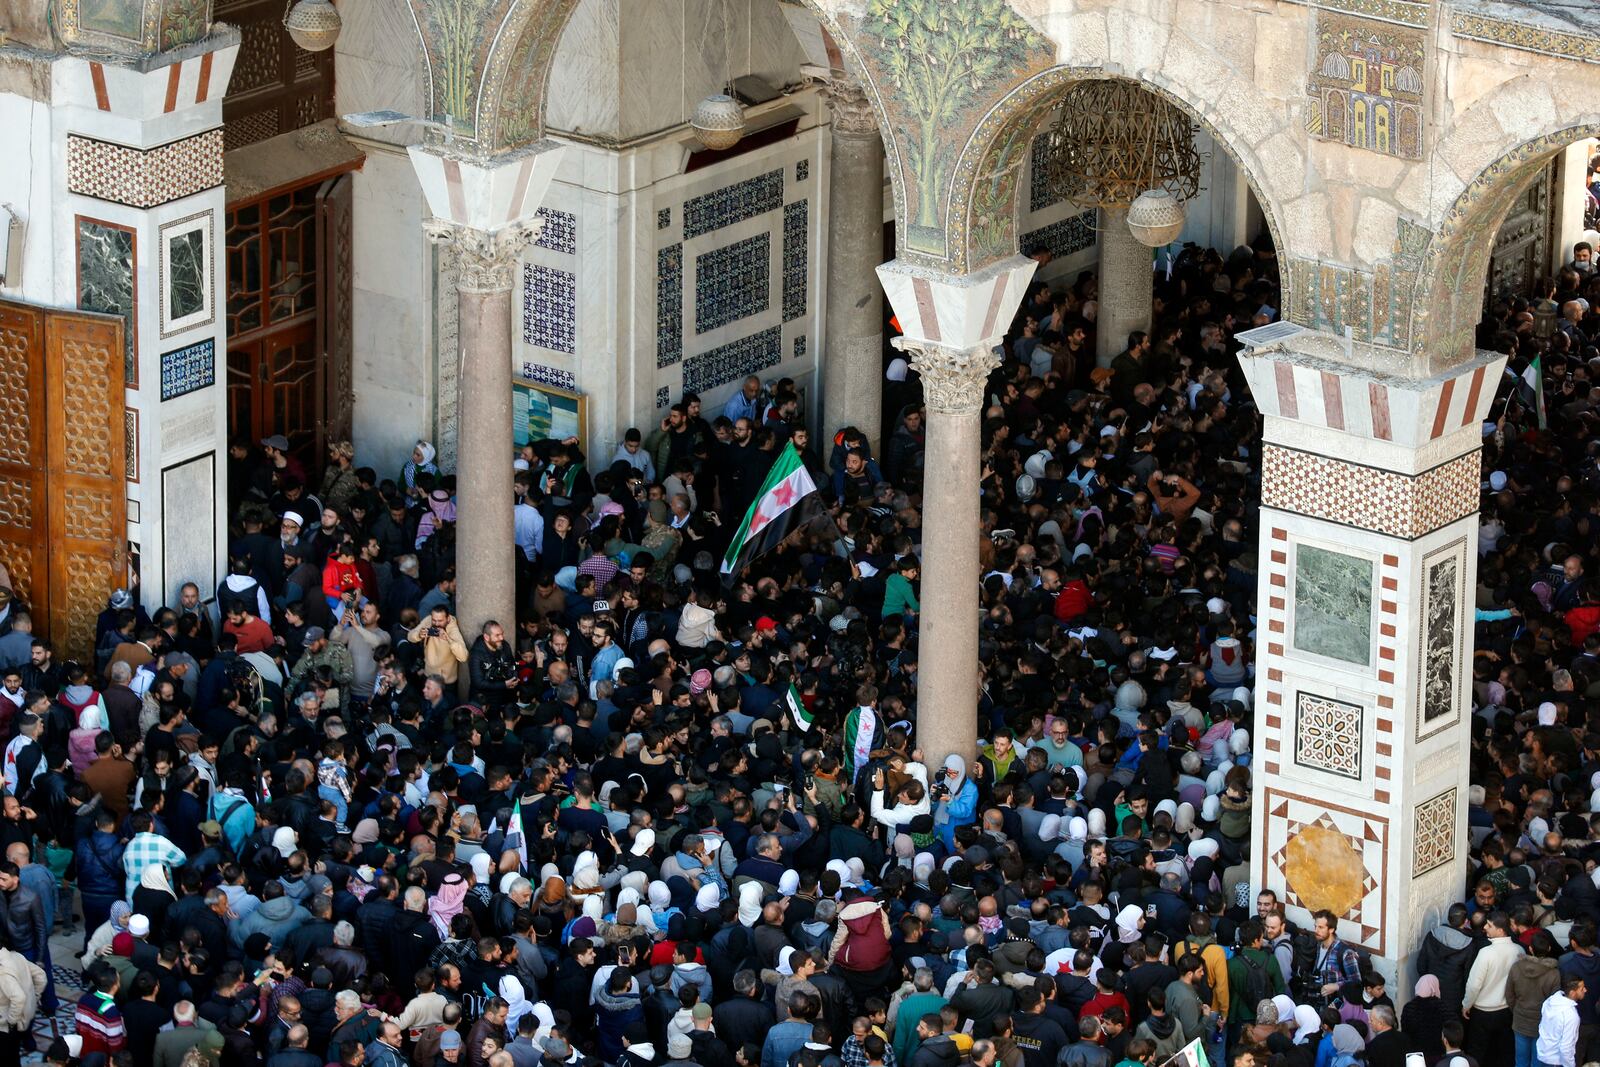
[{"x": 985, "y": 209}]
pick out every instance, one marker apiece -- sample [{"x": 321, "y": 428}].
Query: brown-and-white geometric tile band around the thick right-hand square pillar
[{"x": 1367, "y": 498}]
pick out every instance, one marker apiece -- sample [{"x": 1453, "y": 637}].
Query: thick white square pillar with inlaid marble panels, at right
[{"x": 1364, "y": 637}]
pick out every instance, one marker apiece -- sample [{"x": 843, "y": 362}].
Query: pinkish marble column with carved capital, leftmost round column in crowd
[{"x": 486, "y": 266}]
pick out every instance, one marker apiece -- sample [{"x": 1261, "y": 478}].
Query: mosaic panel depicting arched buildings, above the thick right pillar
[{"x": 1367, "y": 86}]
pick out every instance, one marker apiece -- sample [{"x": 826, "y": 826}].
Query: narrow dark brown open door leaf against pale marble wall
[{"x": 335, "y": 340}]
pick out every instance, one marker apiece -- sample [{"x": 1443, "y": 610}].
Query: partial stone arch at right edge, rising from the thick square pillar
[{"x": 1454, "y": 266}]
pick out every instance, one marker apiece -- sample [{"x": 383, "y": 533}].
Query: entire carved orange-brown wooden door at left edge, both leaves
[{"x": 63, "y": 502}]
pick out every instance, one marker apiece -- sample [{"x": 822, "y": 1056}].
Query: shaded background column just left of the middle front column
[{"x": 854, "y": 350}]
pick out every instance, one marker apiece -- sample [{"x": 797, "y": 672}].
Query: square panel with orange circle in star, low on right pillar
[{"x": 1330, "y": 857}]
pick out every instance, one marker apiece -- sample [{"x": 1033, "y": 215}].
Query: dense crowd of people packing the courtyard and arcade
[{"x": 665, "y": 821}]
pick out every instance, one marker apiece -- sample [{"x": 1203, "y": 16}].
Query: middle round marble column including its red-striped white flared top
[{"x": 951, "y": 330}]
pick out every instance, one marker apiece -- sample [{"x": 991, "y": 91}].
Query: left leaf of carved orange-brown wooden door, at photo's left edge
[{"x": 25, "y": 537}]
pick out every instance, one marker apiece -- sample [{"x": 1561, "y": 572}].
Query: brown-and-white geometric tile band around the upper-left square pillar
[{"x": 145, "y": 178}]
